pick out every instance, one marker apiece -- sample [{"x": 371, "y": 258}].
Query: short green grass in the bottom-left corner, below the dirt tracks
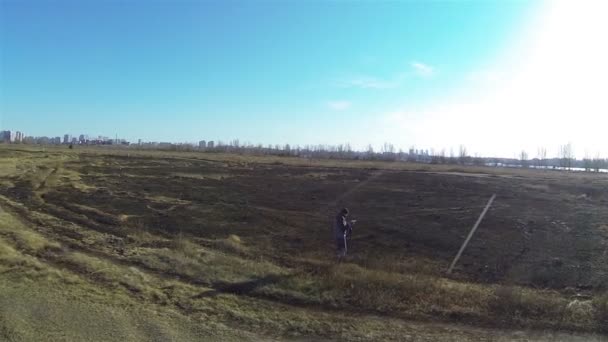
[{"x": 50, "y": 311}]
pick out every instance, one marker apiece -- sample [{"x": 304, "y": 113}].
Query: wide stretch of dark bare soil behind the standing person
[{"x": 545, "y": 229}]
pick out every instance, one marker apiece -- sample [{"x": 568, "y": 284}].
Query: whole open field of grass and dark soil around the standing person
[{"x": 144, "y": 245}]
